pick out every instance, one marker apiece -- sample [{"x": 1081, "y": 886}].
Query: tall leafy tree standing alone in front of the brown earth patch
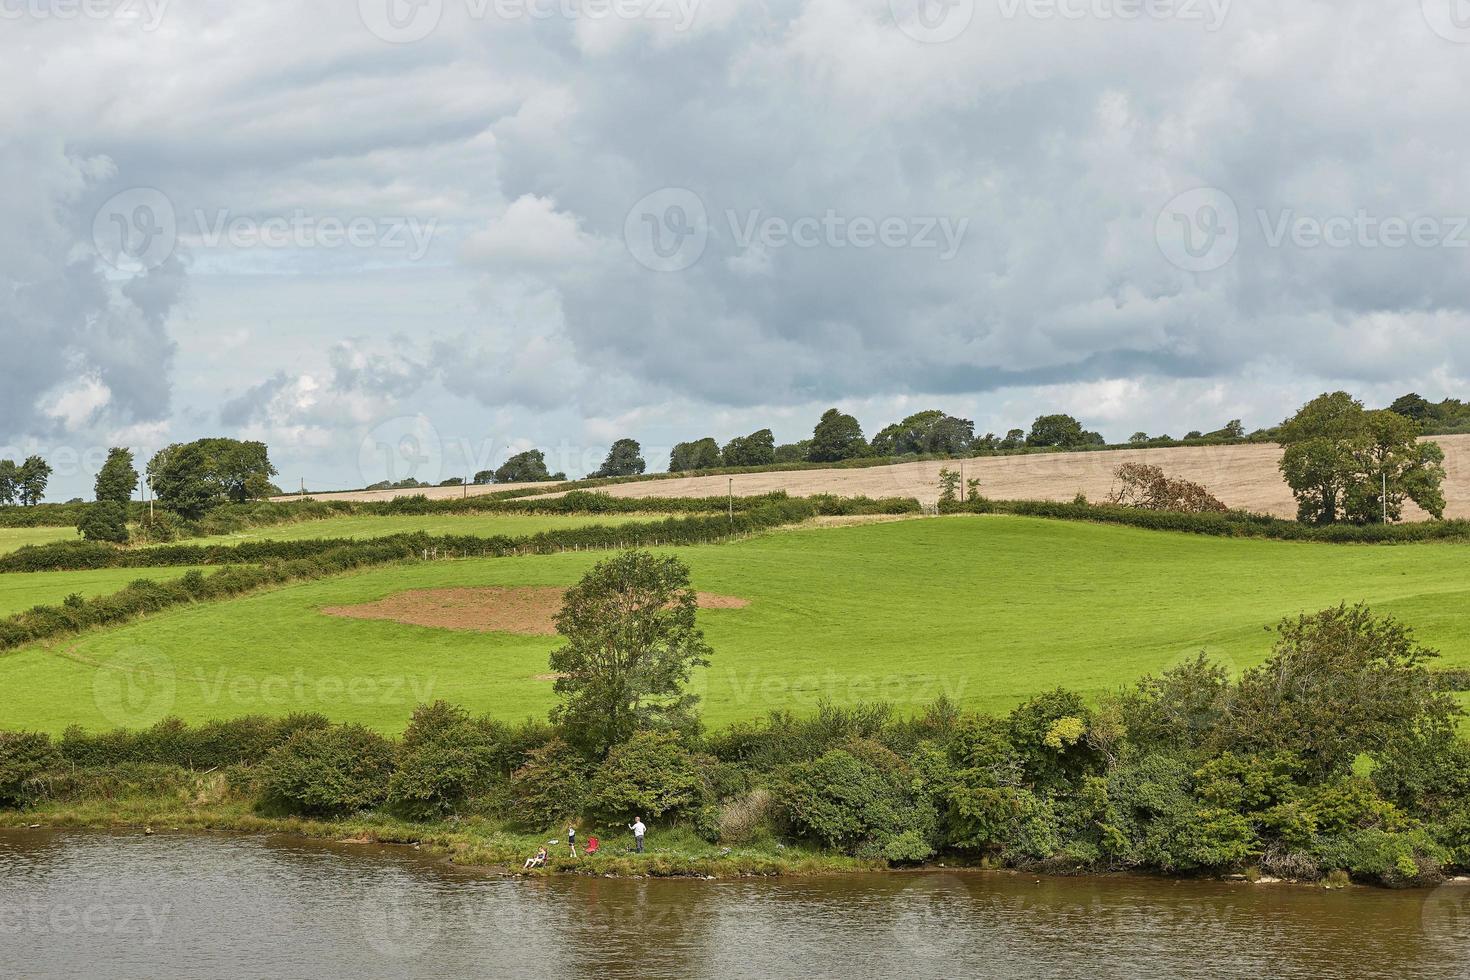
[{"x": 631, "y": 643}]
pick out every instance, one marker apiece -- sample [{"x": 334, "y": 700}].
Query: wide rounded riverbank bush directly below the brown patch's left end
[{"x": 329, "y": 772}]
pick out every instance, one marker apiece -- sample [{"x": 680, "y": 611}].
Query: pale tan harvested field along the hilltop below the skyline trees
[{"x": 1244, "y": 477}]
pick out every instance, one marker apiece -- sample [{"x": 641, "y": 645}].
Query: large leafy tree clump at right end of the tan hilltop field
[{"x": 1337, "y": 458}]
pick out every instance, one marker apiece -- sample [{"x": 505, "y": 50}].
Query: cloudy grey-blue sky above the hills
[{"x": 477, "y": 227}]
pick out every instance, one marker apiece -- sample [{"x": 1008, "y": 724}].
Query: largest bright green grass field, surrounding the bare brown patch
[{"x": 987, "y": 610}]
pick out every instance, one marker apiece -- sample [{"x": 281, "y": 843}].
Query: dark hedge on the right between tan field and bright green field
[{"x": 1228, "y": 525}]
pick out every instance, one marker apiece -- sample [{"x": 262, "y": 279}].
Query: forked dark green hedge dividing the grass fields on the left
[{"x": 283, "y": 562}]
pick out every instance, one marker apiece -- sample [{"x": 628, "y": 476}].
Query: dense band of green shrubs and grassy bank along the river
[{"x": 1335, "y": 759}]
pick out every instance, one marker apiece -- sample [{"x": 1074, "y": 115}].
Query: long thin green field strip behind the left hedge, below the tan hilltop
[{"x": 359, "y": 527}]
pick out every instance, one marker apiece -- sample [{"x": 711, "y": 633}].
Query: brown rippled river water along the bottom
[{"x": 198, "y": 906}]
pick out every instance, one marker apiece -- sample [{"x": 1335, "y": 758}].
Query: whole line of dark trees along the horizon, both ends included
[{"x": 1337, "y": 458}]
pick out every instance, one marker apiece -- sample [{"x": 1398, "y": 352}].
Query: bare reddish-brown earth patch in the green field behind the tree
[{"x": 493, "y": 609}]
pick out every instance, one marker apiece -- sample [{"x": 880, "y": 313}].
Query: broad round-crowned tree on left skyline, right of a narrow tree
[{"x": 190, "y": 478}]
